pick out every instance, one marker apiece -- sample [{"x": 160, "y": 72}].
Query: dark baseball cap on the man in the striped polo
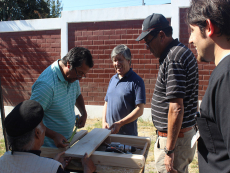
[{"x": 154, "y": 22}]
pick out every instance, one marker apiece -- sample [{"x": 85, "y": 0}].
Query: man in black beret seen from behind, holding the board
[{"x": 25, "y": 132}]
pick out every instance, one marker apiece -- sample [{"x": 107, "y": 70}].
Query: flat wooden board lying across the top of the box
[{"x": 88, "y": 144}]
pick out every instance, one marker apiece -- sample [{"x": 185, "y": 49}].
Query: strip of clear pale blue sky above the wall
[{"x": 70, "y": 5}]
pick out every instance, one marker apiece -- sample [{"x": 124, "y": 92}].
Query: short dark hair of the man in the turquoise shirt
[{"x": 76, "y": 56}]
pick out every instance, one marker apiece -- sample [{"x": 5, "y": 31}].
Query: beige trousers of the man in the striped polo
[{"x": 183, "y": 153}]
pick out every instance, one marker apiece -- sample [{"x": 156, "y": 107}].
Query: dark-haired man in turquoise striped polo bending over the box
[{"x": 58, "y": 91}]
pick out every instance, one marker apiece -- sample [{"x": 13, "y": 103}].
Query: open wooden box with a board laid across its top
[{"x": 93, "y": 143}]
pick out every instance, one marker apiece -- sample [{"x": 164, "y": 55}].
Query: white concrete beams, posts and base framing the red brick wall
[{"x": 96, "y": 15}]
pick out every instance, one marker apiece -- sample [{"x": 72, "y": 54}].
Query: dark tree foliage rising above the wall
[{"x": 29, "y": 9}]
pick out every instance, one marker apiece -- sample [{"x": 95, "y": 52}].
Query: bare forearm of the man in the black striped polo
[{"x": 175, "y": 118}]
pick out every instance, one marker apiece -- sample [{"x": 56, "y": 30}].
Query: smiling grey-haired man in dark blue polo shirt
[{"x": 125, "y": 97}]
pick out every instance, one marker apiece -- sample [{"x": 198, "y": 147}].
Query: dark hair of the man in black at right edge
[{"x": 215, "y": 10}]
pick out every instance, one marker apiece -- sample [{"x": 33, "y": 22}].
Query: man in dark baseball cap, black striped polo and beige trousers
[{"x": 174, "y": 101}]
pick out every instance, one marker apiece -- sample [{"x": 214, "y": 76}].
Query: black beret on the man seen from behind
[{"x": 23, "y": 118}]
